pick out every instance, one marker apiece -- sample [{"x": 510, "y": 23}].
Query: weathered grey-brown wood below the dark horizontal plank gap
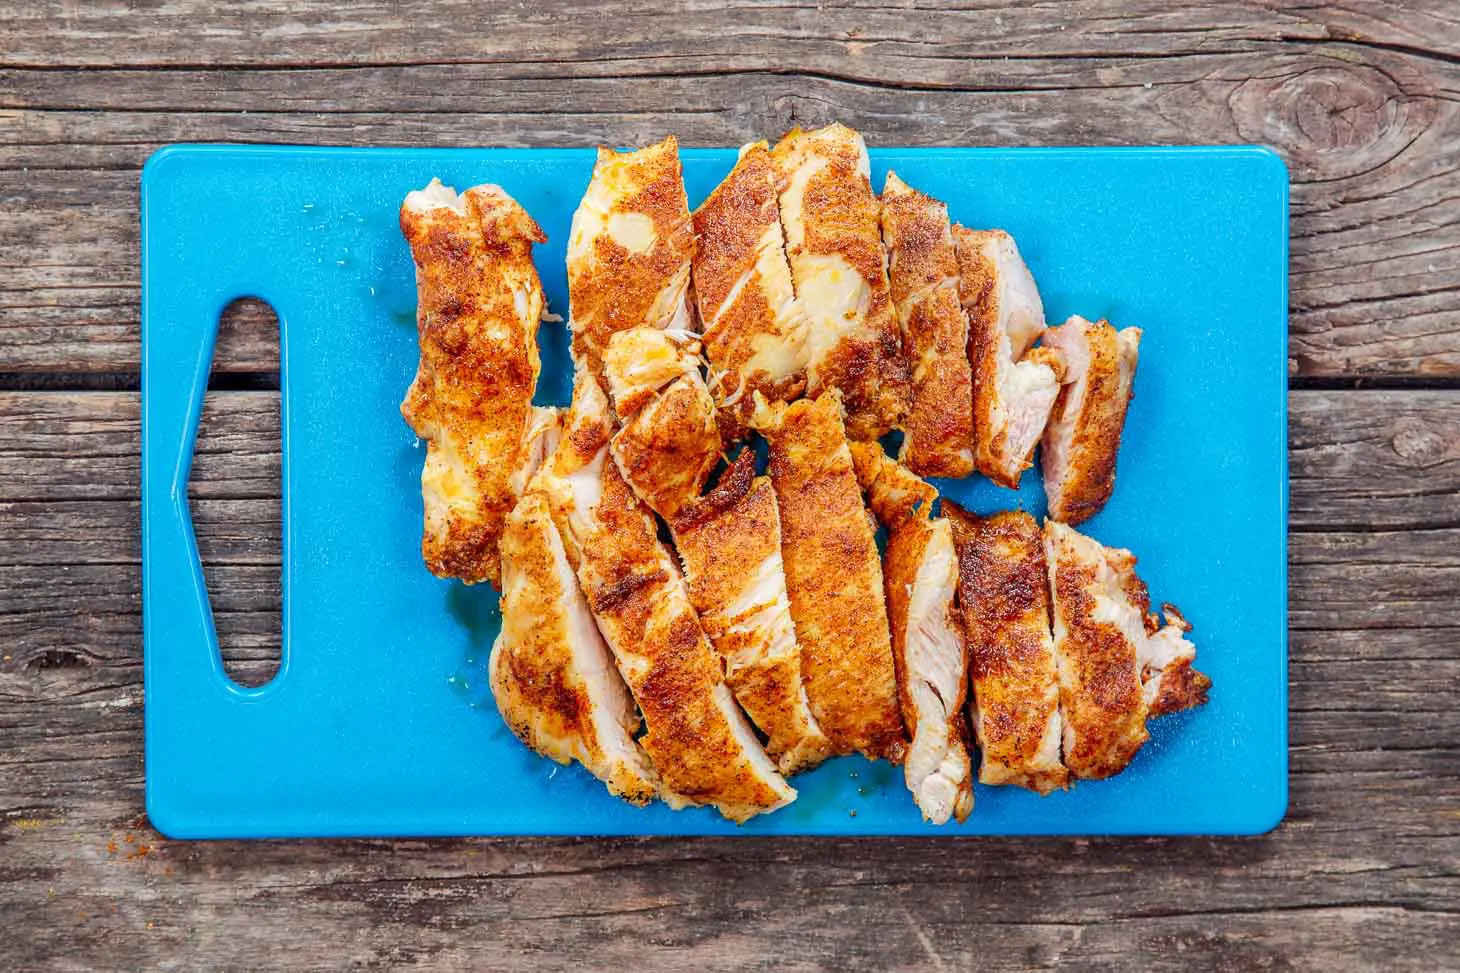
[{"x": 1366, "y": 871}]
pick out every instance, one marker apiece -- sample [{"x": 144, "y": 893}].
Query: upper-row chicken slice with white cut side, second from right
[{"x": 1014, "y": 386}]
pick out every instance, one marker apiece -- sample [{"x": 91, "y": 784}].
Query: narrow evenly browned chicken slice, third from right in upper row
[{"x": 923, "y": 268}]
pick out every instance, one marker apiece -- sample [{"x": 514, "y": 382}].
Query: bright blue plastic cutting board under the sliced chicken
[{"x": 379, "y": 722}]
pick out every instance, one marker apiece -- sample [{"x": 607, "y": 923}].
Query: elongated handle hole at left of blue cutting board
[{"x": 234, "y": 492}]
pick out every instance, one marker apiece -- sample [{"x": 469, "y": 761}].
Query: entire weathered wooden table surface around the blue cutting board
[{"x": 1361, "y": 99}]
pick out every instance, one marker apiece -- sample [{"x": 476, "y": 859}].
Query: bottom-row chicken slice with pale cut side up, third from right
[{"x": 929, "y": 642}]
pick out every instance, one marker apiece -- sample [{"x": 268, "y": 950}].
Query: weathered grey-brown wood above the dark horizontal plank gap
[{"x": 1363, "y": 104}]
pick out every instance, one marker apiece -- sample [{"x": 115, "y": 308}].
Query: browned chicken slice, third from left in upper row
[{"x": 754, "y": 329}]
